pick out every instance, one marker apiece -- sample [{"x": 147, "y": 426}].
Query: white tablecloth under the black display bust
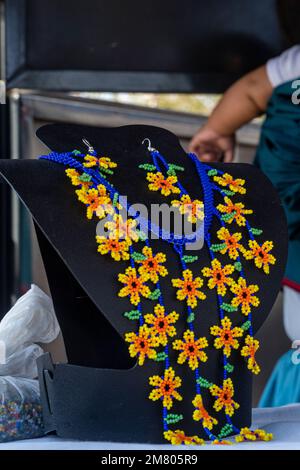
[{"x": 283, "y": 422}]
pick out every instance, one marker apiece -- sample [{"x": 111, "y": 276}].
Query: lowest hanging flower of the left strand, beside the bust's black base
[{"x": 165, "y": 388}]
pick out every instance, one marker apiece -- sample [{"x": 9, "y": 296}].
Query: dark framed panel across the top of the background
[{"x": 169, "y": 45}]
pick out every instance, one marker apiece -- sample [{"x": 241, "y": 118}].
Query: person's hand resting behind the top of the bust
[{"x": 210, "y": 146}]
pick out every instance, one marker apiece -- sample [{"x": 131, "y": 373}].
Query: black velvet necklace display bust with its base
[{"x": 101, "y": 394}]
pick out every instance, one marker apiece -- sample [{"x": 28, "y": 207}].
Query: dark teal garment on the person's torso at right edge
[{"x": 278, "y": 156}]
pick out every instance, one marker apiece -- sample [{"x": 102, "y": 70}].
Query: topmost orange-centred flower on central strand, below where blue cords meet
[{"x": 189, "y": 288}]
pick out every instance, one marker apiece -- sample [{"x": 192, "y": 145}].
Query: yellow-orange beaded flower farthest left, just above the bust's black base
[{"x": 142, "y": 344}]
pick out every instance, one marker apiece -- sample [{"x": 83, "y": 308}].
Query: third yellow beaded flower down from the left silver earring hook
[{"x": 97, "y": 200}]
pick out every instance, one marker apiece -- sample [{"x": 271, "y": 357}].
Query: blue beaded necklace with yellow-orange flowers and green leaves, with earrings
[{"x": 156, "y": 331}]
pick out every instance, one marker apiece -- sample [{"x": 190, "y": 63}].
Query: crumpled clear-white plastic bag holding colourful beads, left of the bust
[{"x": 31, "y": 320}]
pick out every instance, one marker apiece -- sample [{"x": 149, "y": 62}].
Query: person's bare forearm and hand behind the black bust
[{"x": 243, "y": 101}]
